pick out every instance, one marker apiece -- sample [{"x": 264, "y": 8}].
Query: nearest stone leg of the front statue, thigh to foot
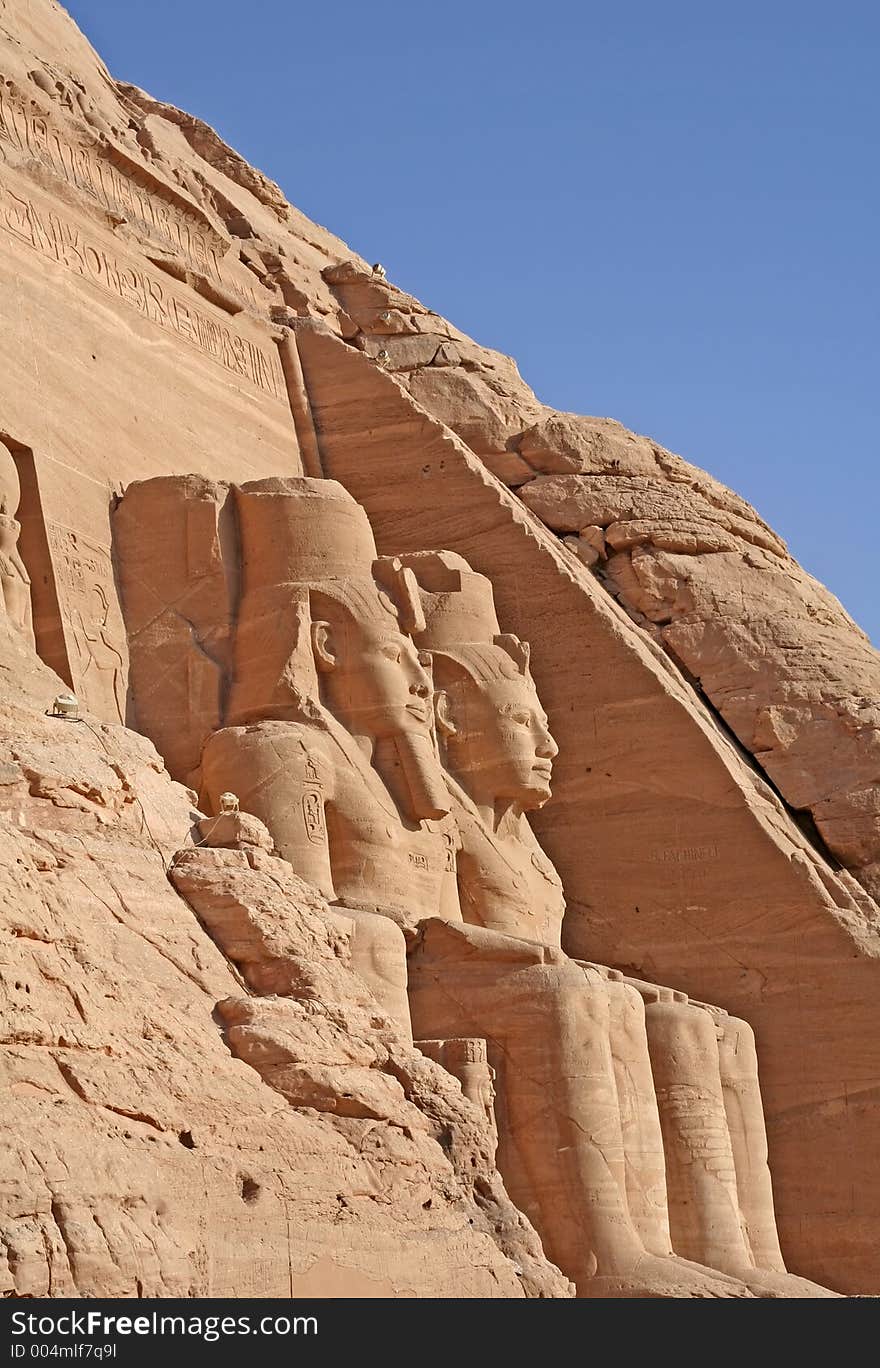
[{"x": 560, "y": 1142}]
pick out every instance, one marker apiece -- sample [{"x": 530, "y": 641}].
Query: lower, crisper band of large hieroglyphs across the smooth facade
[{"x": 62, "y": 243}]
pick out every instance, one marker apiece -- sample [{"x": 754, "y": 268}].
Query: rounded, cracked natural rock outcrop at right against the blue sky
[{"x": 775, "y": 653}]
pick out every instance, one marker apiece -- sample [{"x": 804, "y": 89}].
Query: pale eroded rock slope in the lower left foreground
[{"x": 147, "y": 1150}]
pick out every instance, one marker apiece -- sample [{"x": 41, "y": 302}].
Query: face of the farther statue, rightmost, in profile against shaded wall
[{"x": 503, "y": 742}]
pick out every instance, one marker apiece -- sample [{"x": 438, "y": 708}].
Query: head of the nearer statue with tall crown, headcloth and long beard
[{"x": 325, "y": 623}]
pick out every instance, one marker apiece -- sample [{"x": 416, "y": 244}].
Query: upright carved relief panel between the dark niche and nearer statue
[{"x": 98, "y": 652}]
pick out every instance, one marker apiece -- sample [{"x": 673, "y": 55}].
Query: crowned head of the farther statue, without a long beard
[{"x": 497, "y": 738}]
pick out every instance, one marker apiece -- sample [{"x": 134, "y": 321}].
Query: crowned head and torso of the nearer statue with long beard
[{"x": 332, "y": 739}]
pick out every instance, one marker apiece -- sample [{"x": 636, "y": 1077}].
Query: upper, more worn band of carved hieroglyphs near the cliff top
[{"x": 105, "y": 183}]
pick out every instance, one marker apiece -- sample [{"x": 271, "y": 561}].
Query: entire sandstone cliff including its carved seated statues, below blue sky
[{"x": 218, "y": 998}]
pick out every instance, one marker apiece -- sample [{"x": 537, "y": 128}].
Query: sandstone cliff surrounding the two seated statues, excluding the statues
[{"x": 716, "y": 813}]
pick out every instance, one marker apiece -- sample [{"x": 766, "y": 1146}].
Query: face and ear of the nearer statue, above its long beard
[{"x": 376, "y": 682}]
